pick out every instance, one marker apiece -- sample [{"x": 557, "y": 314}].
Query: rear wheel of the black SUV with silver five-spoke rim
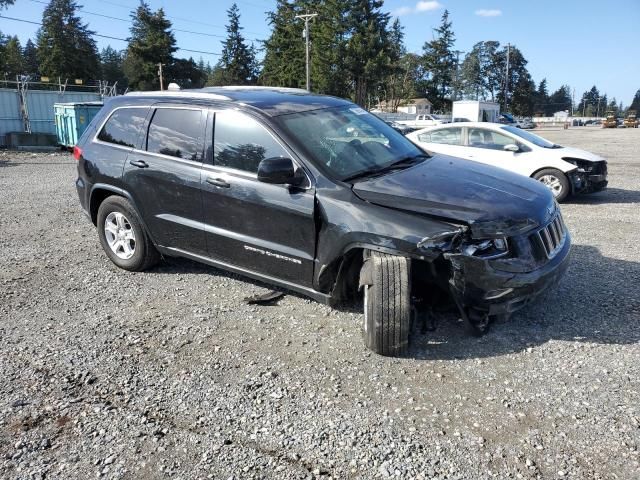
[{"x": 122, "y": 236}]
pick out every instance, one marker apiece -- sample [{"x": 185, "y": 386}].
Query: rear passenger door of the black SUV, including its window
[{"x": 163, "y": 176}]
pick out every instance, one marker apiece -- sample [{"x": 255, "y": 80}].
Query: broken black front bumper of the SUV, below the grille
[{"x": 477, "y": 284}]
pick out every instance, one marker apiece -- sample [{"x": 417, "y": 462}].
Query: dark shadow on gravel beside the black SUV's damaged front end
[{"x": 597, "y": 301}]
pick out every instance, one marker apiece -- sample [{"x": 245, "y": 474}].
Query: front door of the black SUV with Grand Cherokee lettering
[{"x": 260, "y": 227}]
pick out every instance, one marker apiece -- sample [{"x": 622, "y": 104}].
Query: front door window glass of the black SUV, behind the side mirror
[{"x": 240, "y": 142}]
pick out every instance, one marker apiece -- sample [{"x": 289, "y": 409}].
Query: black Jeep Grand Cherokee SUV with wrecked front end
[{"x": 313, "y": 194}]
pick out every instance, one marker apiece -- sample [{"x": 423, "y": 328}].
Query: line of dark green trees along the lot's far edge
[{"x": 357, "y": 52}]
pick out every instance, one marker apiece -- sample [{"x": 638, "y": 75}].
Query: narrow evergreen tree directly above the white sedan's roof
[{"x": 439, "y": 64}]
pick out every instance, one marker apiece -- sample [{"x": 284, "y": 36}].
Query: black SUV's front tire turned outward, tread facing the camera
[{"x": 387, "y": 303}]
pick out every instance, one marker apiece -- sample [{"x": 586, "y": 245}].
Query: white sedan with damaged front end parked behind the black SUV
[{"x": 564, "y": 170}]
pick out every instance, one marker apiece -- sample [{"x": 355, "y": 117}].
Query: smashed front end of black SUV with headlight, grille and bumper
[{"x": 494, "y": 269}]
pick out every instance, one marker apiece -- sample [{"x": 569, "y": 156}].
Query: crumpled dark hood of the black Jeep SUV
[{"x": 492, "y": 201}]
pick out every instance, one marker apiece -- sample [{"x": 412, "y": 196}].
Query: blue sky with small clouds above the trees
[{"x": 576, "y": 42}]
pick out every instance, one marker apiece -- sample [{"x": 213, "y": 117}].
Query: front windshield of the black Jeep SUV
[{"x": 348, "y": 140}]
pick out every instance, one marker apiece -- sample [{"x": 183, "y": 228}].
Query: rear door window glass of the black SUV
[{"x": 177, "y": 133}]
